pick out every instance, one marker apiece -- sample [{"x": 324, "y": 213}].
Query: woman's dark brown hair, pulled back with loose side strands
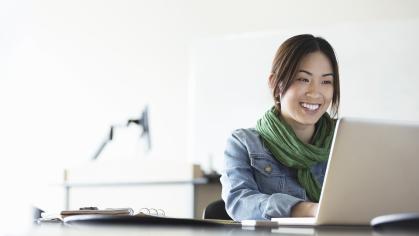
[{"x": 287, "y": 61}]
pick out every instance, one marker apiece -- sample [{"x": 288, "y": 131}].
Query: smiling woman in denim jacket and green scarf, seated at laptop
[{"x": 277, "y": 168}]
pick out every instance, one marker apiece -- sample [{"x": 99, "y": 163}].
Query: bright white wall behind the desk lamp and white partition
[{"x": 69, "y": 69}]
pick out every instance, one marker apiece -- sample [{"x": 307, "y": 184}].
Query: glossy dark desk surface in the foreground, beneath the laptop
[{"x": 80, "y": 230}]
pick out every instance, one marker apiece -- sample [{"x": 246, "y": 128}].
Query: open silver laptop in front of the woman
[{"x": 373, "y": 170}]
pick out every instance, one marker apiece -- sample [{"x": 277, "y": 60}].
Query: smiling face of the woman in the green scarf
[{"x": 310, "y": 93}]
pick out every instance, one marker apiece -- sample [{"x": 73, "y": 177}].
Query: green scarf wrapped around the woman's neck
[{"x": 281, "y": 140}]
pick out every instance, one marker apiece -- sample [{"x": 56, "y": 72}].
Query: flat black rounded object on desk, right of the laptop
[{"x": 401, "y": 221}]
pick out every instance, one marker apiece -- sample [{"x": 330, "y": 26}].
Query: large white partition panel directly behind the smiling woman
[{"x": 229, "y": 90}]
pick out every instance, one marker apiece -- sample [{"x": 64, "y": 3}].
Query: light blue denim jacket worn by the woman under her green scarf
[{"x": 254, "y": 184}]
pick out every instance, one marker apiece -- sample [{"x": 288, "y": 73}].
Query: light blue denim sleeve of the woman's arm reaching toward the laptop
[{"x": 240, "y": 191}]
